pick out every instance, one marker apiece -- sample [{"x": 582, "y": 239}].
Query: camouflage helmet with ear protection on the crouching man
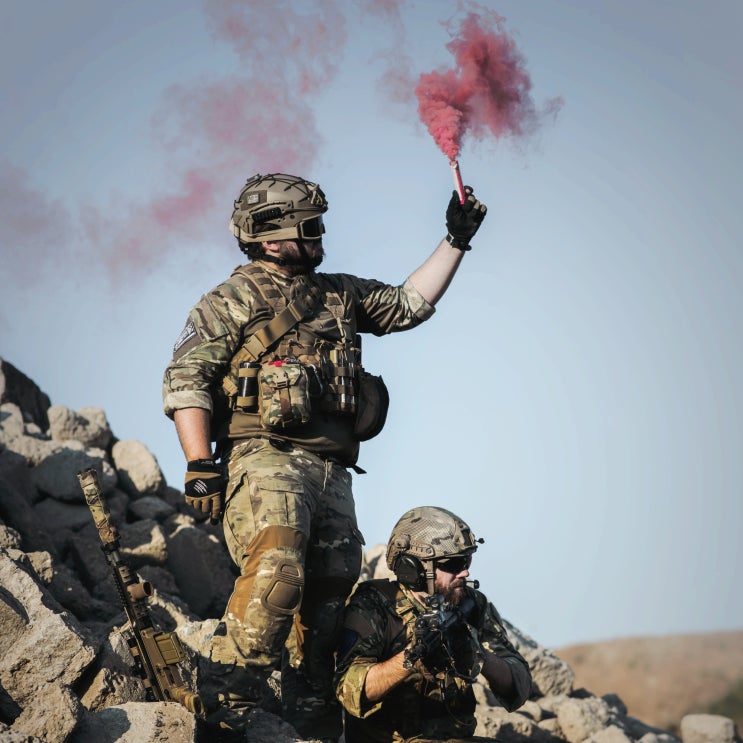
[{"x": 420, "y": 538}]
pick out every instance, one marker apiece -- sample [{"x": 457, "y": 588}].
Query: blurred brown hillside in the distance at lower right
[{"x": 661, "y": 679}]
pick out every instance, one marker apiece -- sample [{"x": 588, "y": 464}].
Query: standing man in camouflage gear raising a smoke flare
[{"x": 268, "y": 366}]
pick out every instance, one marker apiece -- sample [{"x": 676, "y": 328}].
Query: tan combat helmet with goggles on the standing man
[{"x": 279, "y": 207}]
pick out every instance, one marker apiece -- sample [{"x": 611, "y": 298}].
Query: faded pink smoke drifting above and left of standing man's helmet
[{"x": 215, "y": 133}]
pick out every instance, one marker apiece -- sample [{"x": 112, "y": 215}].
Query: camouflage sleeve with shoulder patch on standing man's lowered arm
[{"x": 205, "y": 347}]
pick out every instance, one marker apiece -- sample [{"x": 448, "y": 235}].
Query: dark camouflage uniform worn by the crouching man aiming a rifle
[{"x": 378, "y": 624}]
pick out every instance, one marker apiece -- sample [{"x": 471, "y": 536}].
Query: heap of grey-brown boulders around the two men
[{"x": 65, "y": 674}]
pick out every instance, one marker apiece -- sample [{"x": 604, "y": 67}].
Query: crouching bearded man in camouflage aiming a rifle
[{"x": 411, "y": 648}]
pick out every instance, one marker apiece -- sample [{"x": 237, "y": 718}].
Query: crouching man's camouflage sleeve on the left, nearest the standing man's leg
[{"x": 364, "y": 643}]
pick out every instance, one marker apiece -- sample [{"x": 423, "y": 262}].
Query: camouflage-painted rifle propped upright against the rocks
[{"x": 156, "y": 654}]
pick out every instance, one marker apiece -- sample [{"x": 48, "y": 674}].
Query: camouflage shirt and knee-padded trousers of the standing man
[{"x": 290, "y": 523}]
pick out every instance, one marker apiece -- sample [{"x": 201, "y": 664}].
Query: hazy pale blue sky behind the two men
[{"x": 576, "y": 397}]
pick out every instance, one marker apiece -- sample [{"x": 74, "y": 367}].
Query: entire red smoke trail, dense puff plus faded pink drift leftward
[{"x": 213, "y": 133}]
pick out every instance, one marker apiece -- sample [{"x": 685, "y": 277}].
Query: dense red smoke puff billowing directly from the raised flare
[{"x": 488, "y": 91}]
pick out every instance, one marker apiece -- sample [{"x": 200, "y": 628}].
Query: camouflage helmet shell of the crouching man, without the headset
[{"x": 429, "y": 533}]
